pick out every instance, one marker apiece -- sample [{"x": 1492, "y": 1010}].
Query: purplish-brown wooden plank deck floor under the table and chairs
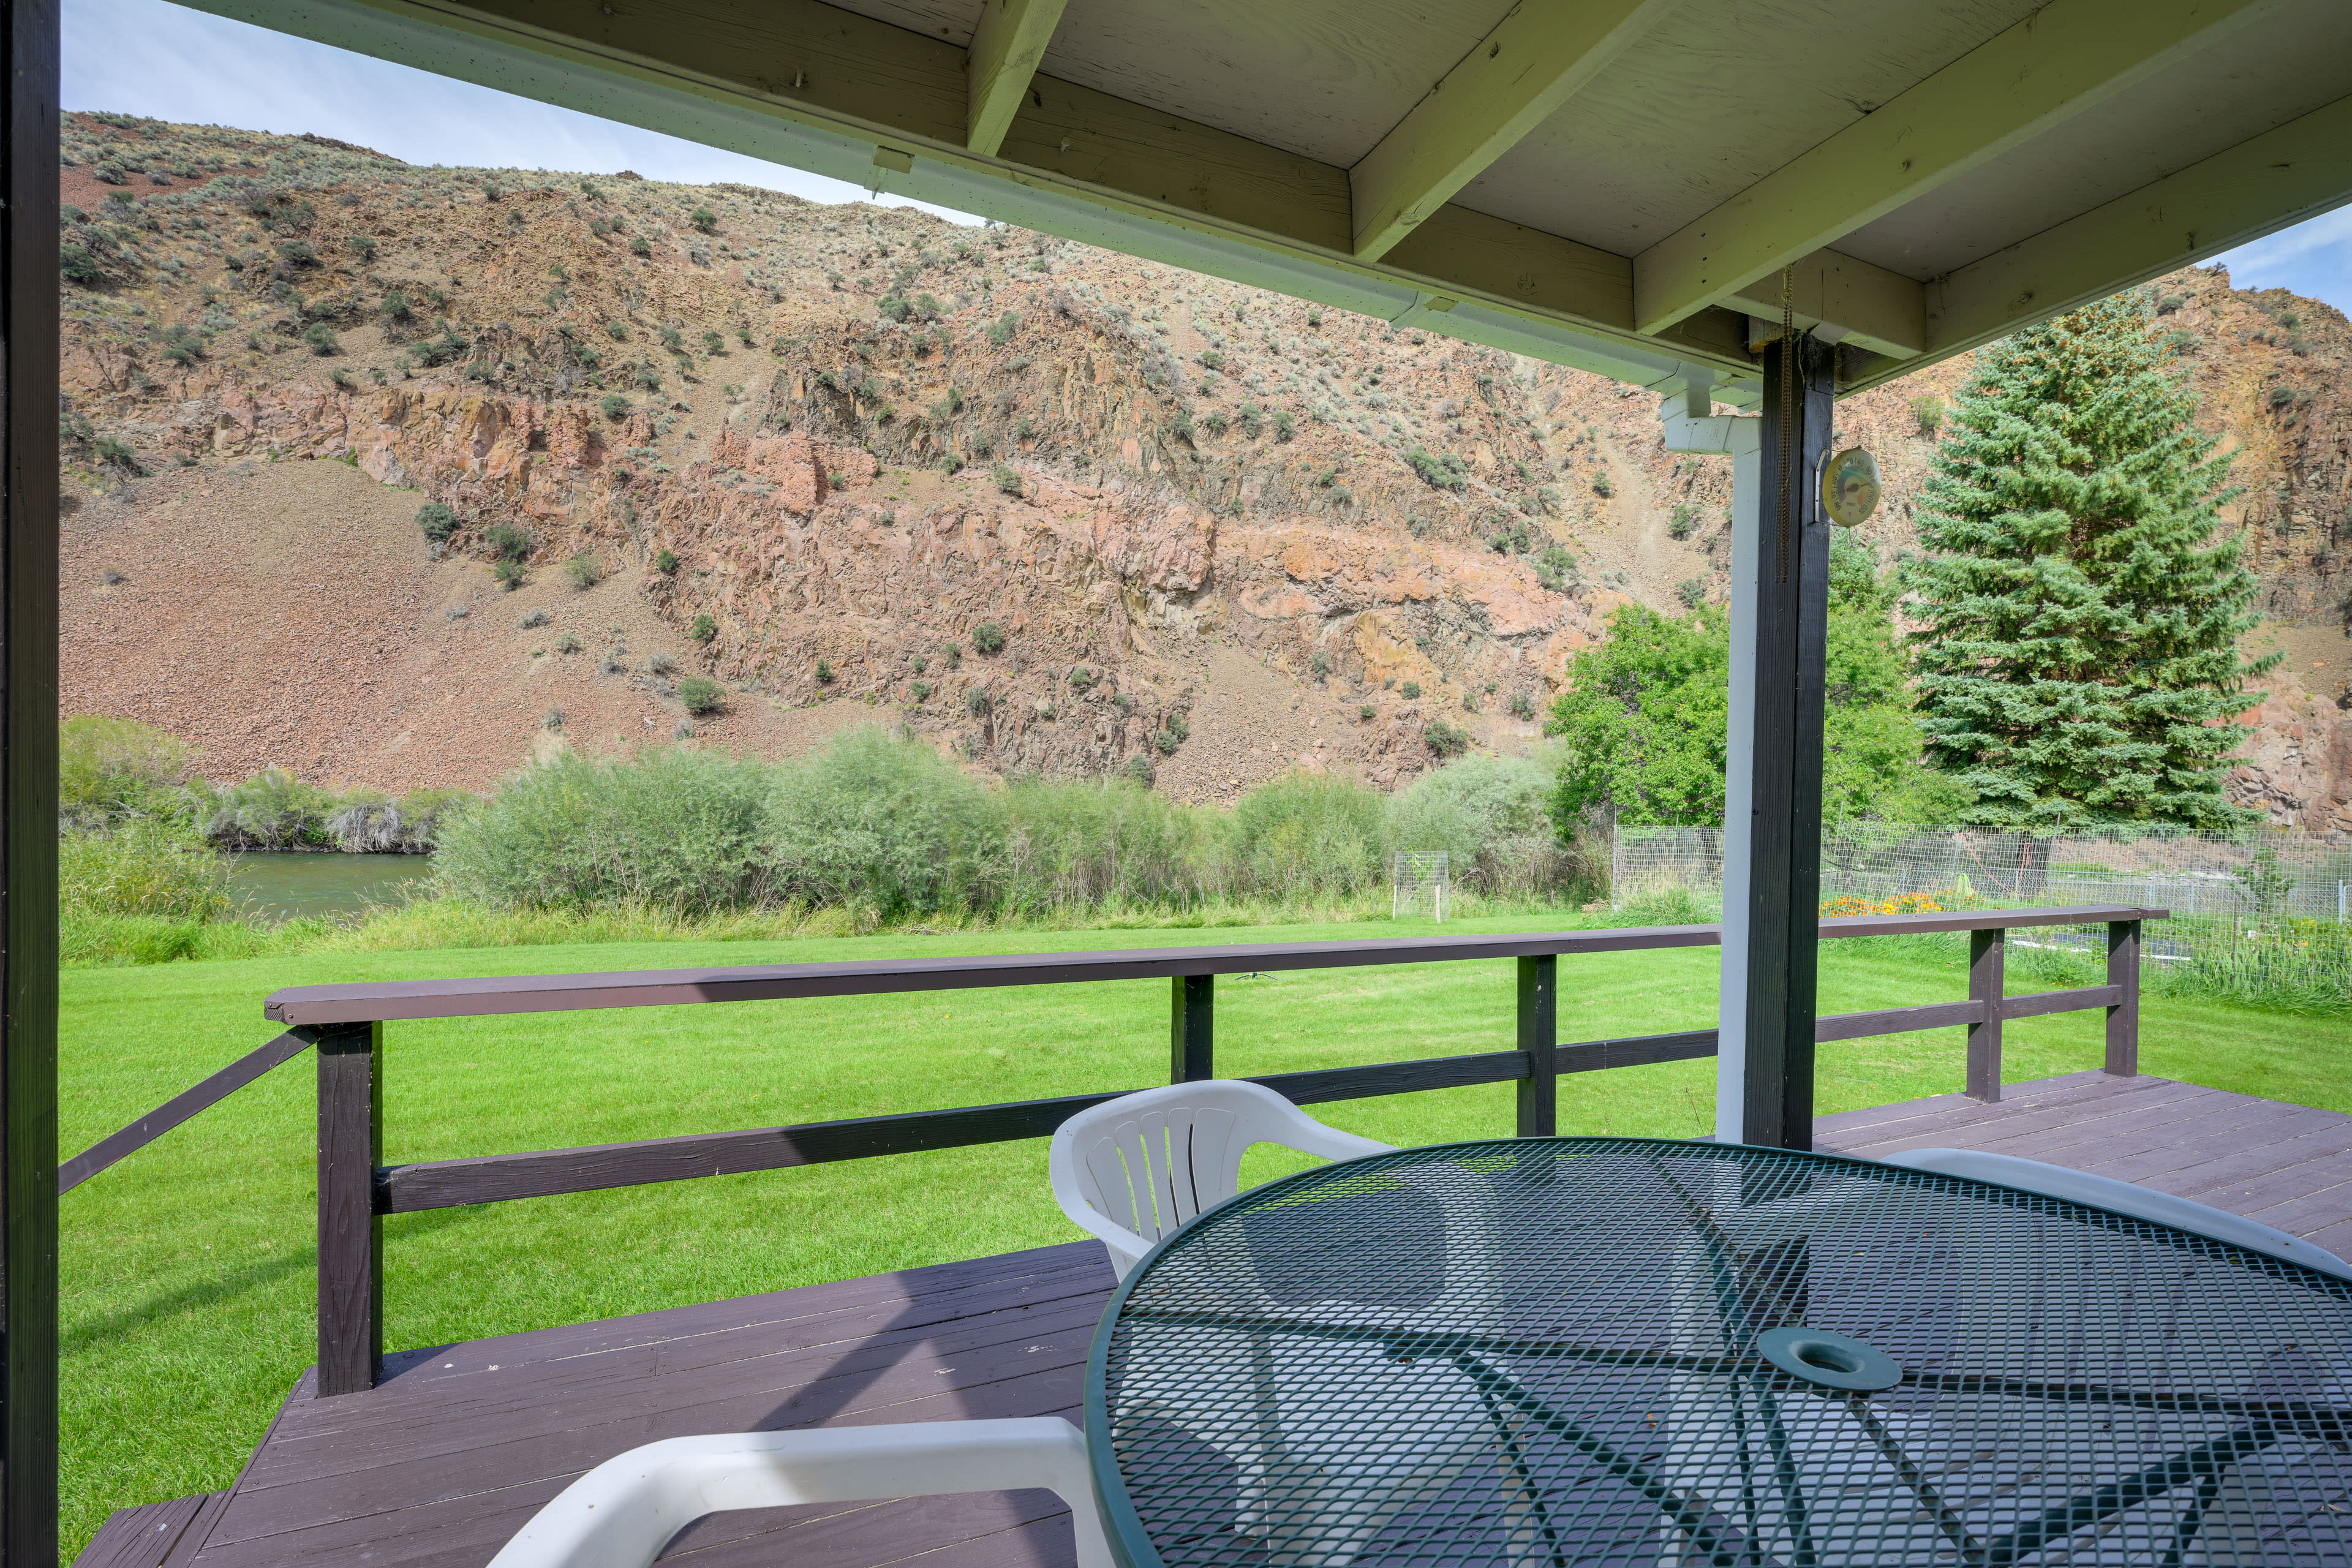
[{"x": 443, "y": 1463}]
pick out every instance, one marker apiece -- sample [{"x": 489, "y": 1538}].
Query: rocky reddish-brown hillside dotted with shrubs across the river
[{"x": 831, "y": 455}]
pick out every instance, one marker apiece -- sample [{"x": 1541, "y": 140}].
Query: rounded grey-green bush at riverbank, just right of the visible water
[{"x": 671, "y": 829}]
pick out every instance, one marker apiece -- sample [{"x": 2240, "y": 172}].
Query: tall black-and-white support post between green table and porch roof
[{"x": 1772, "y": 798}]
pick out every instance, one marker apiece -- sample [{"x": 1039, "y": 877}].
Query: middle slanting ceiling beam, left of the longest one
[{"x": 1511, "y": 83}]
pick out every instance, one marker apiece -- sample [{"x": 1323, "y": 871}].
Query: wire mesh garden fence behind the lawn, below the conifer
[{"x": 2259, "y": 911}]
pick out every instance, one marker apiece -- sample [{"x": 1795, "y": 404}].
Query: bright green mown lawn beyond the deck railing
[{"x": 189, "y": 1268}]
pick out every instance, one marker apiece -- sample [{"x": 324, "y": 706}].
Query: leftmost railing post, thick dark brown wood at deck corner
[{"x": 349, "y": 1233}]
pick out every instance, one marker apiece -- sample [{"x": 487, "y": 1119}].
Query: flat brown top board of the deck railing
[{"x": 481, "y": 998}]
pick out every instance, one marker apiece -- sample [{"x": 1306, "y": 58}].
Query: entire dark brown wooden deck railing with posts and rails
[{"x": 347, "y": 1026}]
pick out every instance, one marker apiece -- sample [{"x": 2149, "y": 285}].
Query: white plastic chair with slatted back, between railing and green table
[{"x": 1137, "y": 1167}]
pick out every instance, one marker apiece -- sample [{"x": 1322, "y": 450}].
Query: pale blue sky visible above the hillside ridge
[{"x": 161, "y": 60}]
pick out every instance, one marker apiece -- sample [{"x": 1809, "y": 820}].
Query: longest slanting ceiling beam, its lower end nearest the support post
[{"x": 2038, "y": 74}]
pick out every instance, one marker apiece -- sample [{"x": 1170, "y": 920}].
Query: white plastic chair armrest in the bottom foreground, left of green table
[{"x": 629, "y": 1508}]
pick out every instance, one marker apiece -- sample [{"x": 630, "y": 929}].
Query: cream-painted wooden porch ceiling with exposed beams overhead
[{"x": 1610, "y": 185}]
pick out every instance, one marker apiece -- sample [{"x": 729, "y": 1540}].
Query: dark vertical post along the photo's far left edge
[{"x": 29, "y": 782}]
